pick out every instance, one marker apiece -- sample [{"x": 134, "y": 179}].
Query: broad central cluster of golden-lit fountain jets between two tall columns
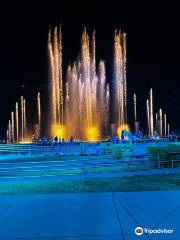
[{"x": 87, "y": 95}]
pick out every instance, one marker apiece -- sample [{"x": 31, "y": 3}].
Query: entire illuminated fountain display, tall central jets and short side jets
[{"x": 80, "y": 101}]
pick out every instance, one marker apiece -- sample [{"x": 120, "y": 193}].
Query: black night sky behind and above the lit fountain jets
[{"x": 153, "y": 50}]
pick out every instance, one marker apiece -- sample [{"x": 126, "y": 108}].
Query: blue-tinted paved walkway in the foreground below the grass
[{"x": 89, "y": 216}]
